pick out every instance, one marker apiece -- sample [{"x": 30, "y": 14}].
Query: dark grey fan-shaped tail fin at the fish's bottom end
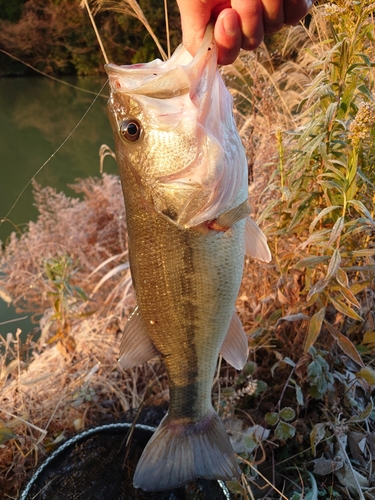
[{"x": 178, "y": 453}]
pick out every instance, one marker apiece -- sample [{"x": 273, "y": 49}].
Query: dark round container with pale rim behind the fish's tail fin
[{"x": 99, "y": 464}]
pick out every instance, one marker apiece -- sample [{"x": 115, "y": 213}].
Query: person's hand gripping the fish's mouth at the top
[{"x": 238, "y": 23}]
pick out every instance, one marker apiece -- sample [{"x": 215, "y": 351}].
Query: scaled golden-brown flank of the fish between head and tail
[{"x": 193, "y": 308}]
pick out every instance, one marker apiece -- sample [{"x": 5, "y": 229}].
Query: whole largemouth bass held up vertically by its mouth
[{"x": 183, "y": 172}]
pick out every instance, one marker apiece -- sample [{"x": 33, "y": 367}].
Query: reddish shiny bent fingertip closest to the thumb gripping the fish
[{"x": 228, "y": 36}]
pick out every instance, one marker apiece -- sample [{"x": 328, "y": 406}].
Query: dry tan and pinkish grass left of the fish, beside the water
[{"x": 69, "y": 379}]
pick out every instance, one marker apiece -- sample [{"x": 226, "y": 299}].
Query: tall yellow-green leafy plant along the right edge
[{"x": 328, "y": 204}]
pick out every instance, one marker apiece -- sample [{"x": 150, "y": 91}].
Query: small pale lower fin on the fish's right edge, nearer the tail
[{"x": 235, "y": 346}]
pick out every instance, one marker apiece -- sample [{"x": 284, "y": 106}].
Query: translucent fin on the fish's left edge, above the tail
[{"x": 136, "y": 346}]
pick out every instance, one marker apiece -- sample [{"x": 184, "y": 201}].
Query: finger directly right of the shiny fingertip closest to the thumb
[{"x": 250, "y": 13}]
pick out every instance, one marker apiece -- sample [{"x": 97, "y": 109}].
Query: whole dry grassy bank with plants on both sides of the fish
[{"x": 301, "y": 413}]
